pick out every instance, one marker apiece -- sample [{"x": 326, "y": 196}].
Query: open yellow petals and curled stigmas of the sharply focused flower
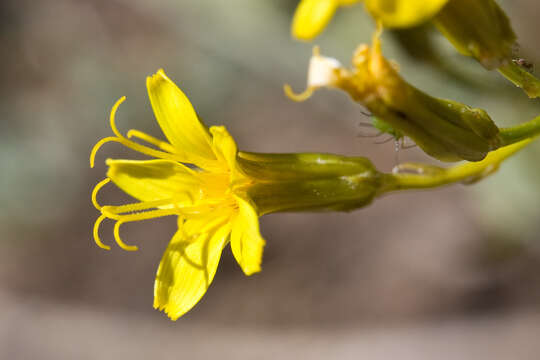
[{"x": 208, "y": 196}]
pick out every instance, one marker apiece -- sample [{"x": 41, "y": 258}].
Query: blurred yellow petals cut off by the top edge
[{"x": 312, "y": 16}]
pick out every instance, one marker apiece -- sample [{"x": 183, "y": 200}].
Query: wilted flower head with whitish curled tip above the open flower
[{"x": 444, "y": 129}]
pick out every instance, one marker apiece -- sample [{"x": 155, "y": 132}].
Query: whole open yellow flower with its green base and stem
[{"x": 218, "y": 193}]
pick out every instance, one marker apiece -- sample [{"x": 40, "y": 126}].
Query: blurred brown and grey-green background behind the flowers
[{"x": 452, "y": 273}]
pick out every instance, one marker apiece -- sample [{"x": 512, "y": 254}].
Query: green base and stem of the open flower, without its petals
[{"x": 318, "y": 182}]
